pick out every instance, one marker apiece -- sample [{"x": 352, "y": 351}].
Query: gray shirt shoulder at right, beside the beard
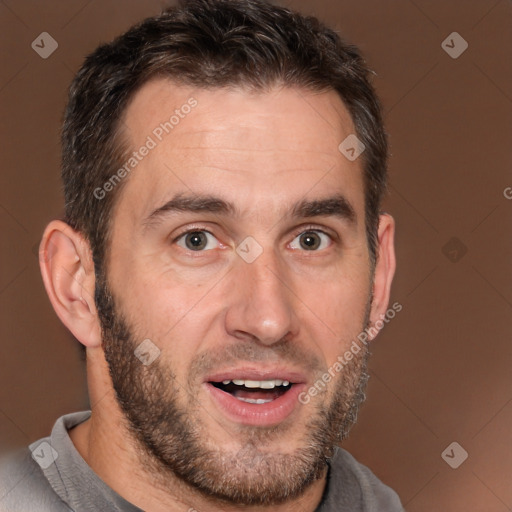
[{"x": 352, "y": 482}]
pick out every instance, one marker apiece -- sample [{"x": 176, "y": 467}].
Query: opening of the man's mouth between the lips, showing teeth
[{"x": 254, "y": 391}]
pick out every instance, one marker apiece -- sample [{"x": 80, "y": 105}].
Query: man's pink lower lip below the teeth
[{"x": 267, "y": 414}]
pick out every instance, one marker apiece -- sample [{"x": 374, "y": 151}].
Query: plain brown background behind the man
[{"x": 441, "y": 370}]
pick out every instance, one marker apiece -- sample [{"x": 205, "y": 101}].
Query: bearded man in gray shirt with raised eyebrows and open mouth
[{"x": 222, "y": 258}]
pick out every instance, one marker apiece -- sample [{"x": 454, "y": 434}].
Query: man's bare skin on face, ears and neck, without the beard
[{"x": 263, "y": 153}]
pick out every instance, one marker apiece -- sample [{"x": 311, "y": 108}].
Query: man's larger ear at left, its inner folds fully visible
[{"x": 66, "y": 263}]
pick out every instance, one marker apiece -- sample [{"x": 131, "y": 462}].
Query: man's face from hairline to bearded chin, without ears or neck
[{"x": 239, "y": 249}]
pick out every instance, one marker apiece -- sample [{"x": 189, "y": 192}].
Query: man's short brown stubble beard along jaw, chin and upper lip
[{"x": 174, "y": 442}]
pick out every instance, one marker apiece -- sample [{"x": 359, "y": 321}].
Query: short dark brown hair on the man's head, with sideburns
[{"x": 210, "y": 44}]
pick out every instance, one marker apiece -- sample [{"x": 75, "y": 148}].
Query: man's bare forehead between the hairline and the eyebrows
[{"x": 261, "y": 148}]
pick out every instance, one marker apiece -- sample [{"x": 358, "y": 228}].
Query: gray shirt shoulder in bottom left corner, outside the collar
[{"x": 23, "y": 486}]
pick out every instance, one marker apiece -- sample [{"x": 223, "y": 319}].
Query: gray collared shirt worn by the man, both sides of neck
[{"x": 51, "y": 476}]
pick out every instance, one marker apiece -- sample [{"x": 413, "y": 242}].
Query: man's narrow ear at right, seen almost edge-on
[{"x": 384, "y": 269}]
